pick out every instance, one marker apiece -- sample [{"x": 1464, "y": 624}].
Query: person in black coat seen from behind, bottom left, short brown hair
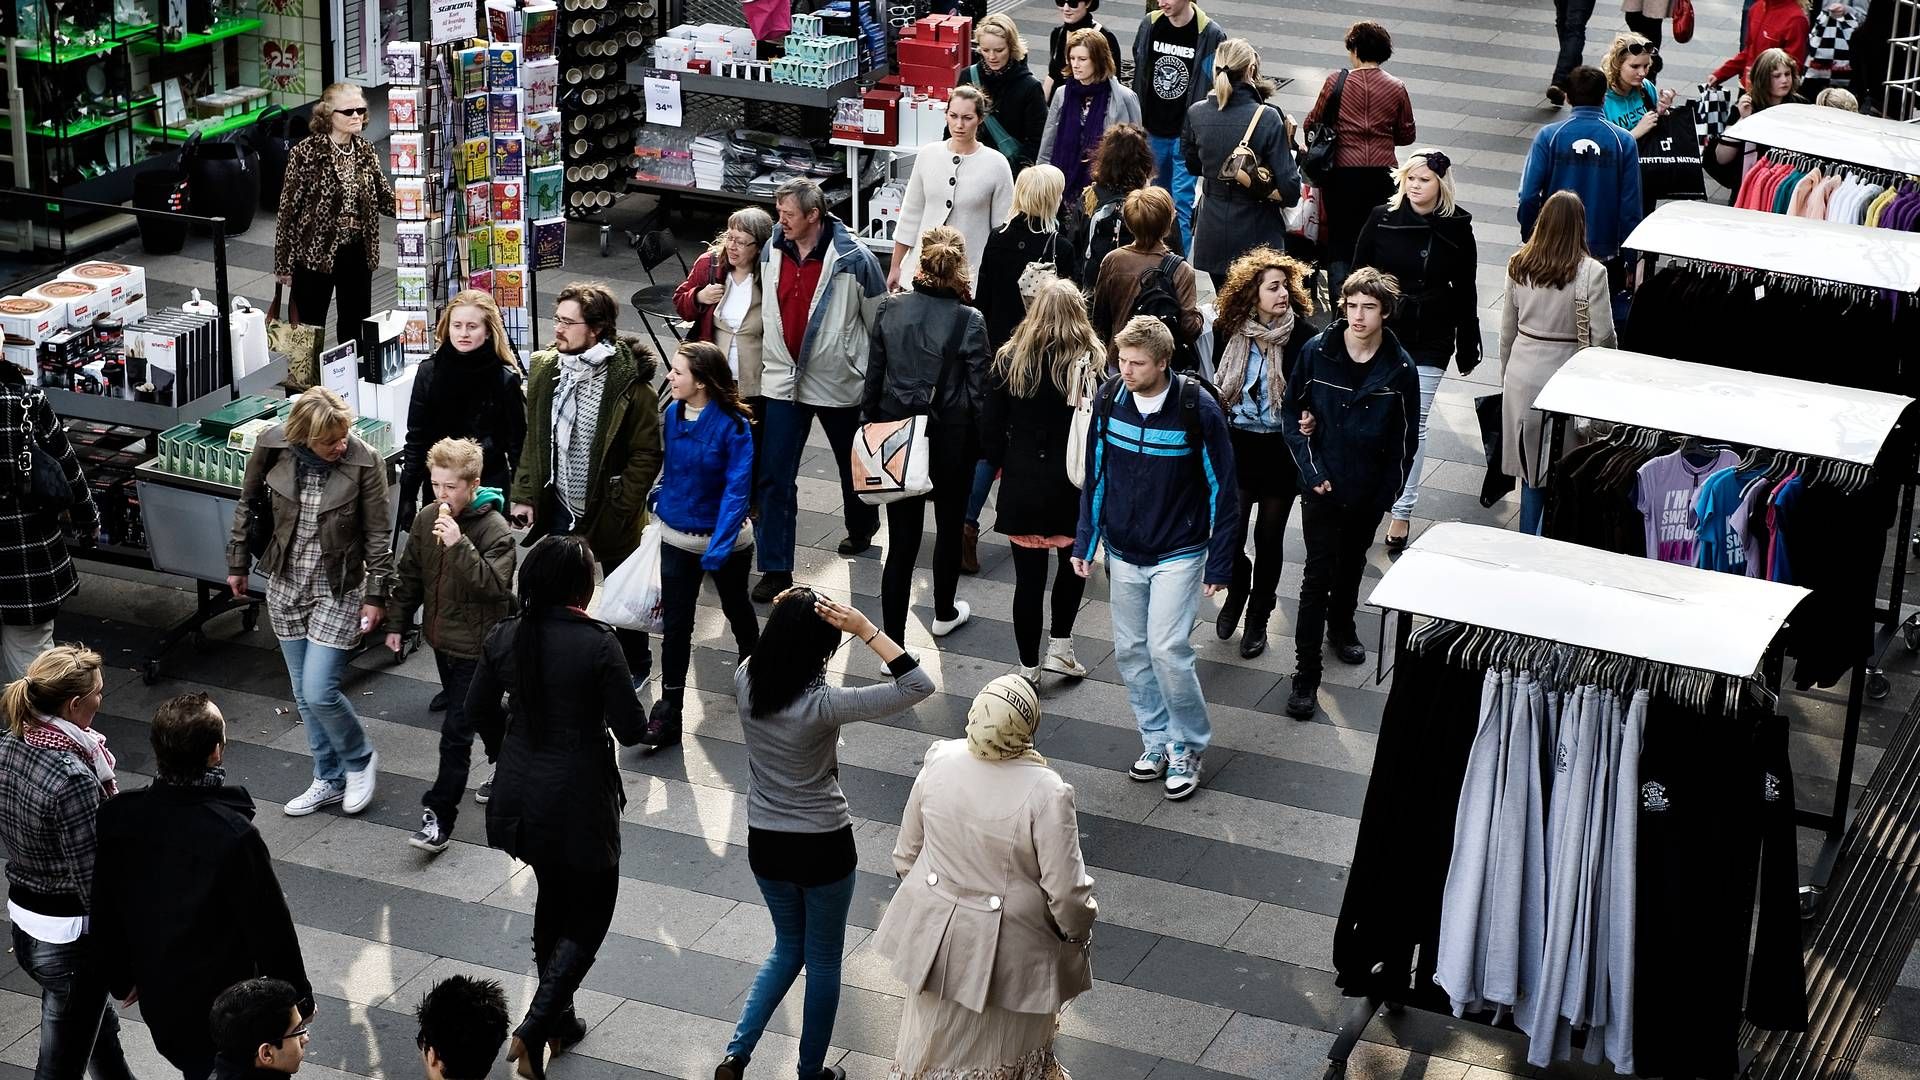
[{"x": 185, "y": 898}]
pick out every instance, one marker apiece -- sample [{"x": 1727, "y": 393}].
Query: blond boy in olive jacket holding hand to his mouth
[{"x": 460, "y": 566}]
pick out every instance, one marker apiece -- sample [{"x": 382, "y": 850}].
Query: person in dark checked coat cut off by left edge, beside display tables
[{"x": 36, "y": 570}]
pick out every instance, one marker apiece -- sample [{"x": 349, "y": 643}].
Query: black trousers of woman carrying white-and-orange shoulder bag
[{"x": 951, "y": 470}]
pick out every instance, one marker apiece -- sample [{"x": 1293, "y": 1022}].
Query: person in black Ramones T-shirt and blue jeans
[{"x": 1172, "y": 70}]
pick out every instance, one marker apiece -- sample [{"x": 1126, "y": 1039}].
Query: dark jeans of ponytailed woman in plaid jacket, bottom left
[{"x": 80, "y": 1029}]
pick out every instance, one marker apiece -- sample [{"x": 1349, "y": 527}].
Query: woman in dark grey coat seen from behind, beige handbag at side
[{"x": 1232, "y": 222}]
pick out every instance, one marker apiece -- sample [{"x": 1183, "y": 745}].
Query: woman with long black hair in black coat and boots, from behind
[{"x": 558, "y": 795}]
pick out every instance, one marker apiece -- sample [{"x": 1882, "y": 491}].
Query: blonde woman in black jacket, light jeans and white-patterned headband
[{"x": 1426, "y": 241}]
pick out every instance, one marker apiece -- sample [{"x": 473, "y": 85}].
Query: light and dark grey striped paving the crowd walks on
[{"x": 1218, "y": 914}]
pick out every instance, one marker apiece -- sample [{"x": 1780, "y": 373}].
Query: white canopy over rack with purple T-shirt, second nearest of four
[{"x": 1717, "y": 403}]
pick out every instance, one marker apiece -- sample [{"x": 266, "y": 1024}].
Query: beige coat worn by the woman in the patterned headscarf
[{"x": 996, "y": 904}]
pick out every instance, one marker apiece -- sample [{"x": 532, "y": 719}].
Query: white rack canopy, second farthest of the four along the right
[{"x": 1794, "y": 247}]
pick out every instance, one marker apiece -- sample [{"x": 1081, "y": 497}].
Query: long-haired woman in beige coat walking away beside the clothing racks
[{"x": 1556, "y": 307}]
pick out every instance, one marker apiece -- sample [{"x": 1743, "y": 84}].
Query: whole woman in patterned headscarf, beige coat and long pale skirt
[{"x": 994, "y": 920}]
